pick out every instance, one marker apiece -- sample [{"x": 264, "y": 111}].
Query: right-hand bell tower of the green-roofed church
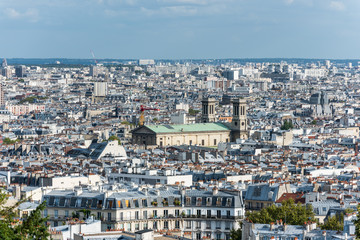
[{"x": 239, "y": 121}]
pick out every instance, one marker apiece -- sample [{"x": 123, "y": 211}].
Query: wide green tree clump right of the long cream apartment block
[{"x": 289, "y": 212}]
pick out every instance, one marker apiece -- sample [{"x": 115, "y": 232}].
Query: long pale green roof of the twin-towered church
[{"x": 197, "y": 127}]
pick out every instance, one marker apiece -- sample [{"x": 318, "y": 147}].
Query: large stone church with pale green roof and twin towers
[{"x": 207, "y": 133}]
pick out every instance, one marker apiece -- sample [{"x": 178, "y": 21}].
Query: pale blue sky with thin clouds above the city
[{"x": 180, "y": 29}]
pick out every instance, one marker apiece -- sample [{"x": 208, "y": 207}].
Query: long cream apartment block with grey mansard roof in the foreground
[{"x": 190, "y": 213}]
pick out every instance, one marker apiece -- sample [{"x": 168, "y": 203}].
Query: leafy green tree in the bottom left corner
[{"x": 33, "y": 227}]
